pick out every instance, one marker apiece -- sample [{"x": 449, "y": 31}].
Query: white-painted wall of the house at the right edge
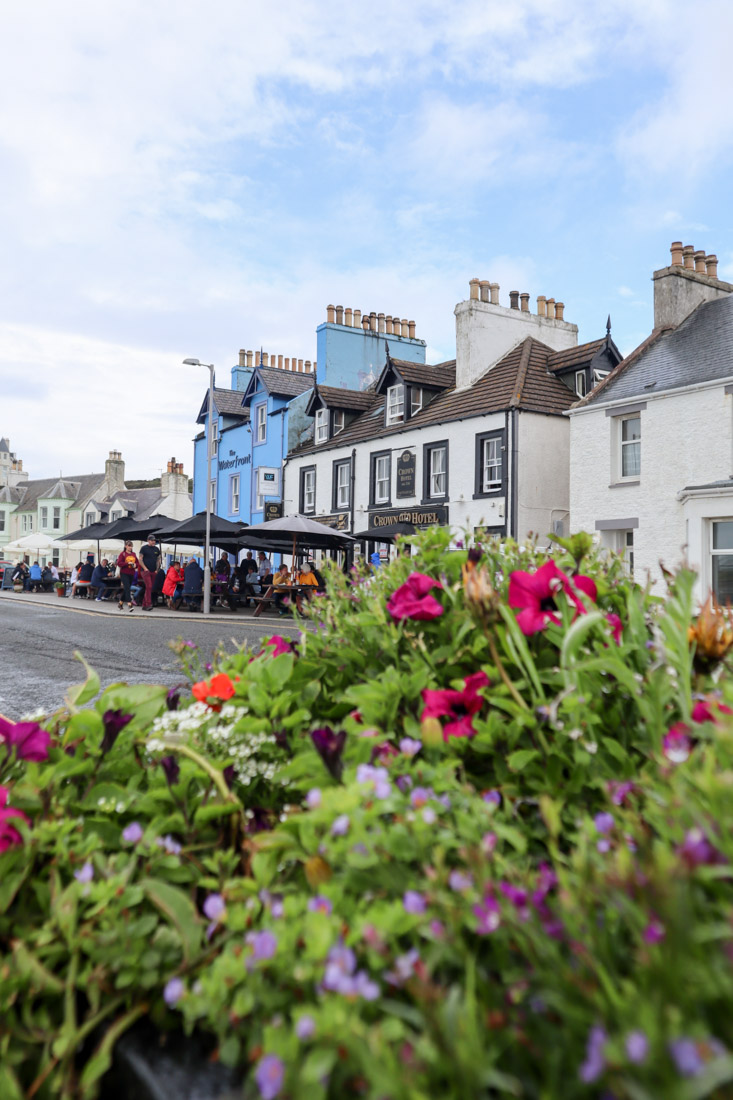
[{"x": 687, "y": 439}]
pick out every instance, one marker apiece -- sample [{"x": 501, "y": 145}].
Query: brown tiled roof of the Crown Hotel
[{"x": 521, "y": 381}]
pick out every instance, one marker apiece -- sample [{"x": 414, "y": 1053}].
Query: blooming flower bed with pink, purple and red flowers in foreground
[{"x": 471, "y": 838}]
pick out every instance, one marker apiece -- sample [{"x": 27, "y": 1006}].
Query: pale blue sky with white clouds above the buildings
[{"x": 185, "y": 180}]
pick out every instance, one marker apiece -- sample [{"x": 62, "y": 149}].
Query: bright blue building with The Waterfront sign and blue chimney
[{"x": 262, "y": 417}]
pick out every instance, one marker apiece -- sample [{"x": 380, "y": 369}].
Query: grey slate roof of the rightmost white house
[{"x": 699, "y": 350}]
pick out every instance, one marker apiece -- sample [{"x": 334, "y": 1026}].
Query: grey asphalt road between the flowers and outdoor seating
[{"x": 38, "y": 644}]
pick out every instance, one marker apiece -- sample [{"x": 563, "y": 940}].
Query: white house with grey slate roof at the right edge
[{"x": 652, "y": 447}]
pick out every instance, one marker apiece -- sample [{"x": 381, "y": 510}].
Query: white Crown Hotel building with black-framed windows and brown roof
[{"x": 477, "y": 443}]
